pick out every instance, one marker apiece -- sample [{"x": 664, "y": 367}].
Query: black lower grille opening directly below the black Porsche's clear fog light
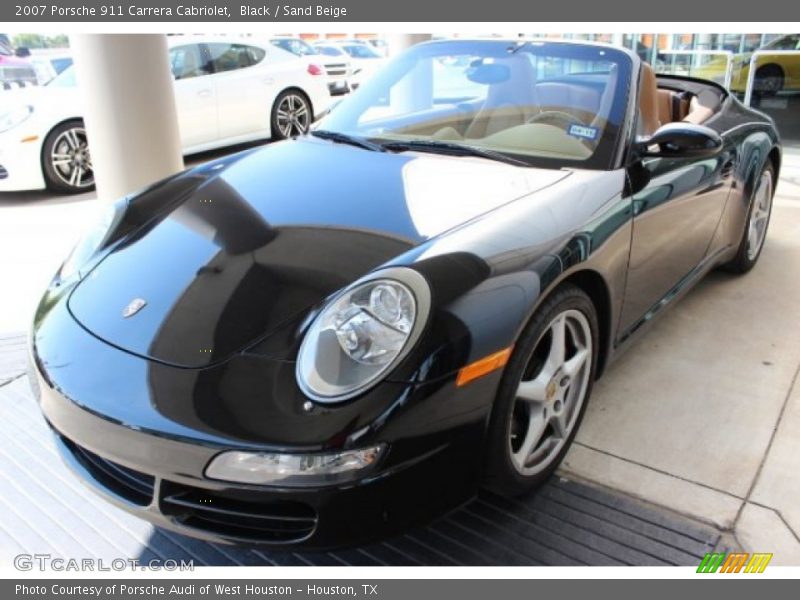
[{"x": 277, "y": 522}]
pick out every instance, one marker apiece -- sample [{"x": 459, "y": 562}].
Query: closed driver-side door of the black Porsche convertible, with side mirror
[{"x": 677, "y": 204}]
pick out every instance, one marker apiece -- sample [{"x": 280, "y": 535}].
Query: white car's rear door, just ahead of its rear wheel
[{"x": 246, "y": 84}]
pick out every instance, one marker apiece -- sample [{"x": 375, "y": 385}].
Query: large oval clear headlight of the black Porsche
[{"x": 360, "y": 335}]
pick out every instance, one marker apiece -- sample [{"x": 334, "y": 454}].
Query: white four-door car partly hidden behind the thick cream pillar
[{"x": 228, "y": 91}]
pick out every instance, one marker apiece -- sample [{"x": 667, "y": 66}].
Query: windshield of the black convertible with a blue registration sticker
[{"x": 547, "y": 104}]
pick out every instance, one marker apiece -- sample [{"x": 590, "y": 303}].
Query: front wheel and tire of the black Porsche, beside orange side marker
[{"x": 562, "y": 390}]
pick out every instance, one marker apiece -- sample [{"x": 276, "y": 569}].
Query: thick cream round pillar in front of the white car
[{"x": 129, "y": 109}]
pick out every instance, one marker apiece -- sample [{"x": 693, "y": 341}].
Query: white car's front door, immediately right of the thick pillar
[{"x": 195, "y": 96}]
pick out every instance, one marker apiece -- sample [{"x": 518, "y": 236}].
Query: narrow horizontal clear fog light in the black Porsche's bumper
[{"x": 293, "y": 470}]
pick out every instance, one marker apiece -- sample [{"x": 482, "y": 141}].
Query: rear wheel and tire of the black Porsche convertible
[{"x": 758, "y": 215}]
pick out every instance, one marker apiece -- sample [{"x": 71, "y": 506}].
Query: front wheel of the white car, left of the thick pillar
[{"x": 66, "y": 162}]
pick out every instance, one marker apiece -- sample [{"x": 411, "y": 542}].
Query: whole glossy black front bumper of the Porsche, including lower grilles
[{"x": 132, "y": 452}]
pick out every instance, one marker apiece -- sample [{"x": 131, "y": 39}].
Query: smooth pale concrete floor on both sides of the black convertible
[{"x": 701, "y": 416}]
